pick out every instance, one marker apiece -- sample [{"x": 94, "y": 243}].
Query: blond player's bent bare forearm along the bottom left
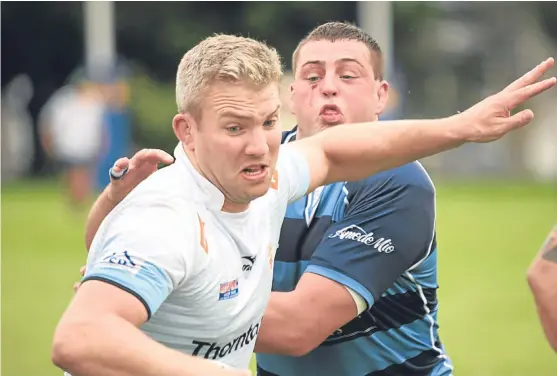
[{"x": 114, "y": 347}]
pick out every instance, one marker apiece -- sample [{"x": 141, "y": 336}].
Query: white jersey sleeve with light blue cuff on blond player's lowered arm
[{"x": 144, "y": 252}]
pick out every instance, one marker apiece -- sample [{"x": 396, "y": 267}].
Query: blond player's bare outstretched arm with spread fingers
[{"x": 353, "y": 152}]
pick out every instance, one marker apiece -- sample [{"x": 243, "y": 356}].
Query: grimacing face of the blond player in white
[{"x": 237, "y": 140}]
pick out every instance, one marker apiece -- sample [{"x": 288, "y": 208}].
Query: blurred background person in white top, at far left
[{"x": 71, "y": 127}]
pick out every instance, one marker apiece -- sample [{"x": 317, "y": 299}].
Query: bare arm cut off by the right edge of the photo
[{"x": 542, "y": 279}]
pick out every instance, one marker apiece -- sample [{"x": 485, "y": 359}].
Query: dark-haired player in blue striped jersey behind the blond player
[{"x": 370, "y": 245}]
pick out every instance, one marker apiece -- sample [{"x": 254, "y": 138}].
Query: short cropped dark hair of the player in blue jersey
[{"x": 333, "y": 31}]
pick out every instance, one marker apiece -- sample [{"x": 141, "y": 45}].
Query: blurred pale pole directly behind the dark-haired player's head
[{"x": 376, "y": 18}]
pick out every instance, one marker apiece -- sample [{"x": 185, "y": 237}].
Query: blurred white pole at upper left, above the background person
[{"x": 100, "y": 50}]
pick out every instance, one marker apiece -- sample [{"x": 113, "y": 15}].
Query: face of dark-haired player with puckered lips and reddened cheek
[{"x": 335, "y": 84}]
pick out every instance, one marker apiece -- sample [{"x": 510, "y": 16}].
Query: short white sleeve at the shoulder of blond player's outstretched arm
[{"x": 291, "y": 177}]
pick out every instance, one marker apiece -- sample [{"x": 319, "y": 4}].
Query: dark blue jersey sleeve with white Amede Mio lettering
[{"x": 388, "y": 226}]
